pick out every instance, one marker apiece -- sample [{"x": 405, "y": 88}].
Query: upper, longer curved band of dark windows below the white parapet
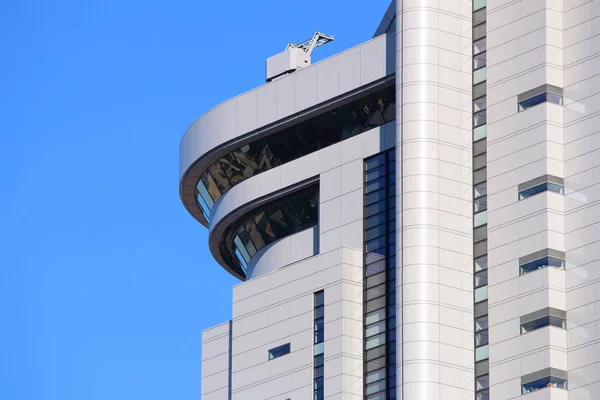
[{"x": 331, "y": 127}]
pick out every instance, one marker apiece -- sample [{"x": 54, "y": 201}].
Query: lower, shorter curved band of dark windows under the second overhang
[{"x": 295, "y": 214}]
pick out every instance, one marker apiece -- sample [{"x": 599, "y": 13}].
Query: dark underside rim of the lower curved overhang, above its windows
[{"x": 222, "y": 234}]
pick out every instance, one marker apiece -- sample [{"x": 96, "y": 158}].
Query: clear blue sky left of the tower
[{"x": 105, "y": 281}]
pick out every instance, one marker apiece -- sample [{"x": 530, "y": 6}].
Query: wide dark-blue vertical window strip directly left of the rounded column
[{"x": 380, "y": 279}]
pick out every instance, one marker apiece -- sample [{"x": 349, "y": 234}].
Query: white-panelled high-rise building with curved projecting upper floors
[{"x": 415, "y": 218}]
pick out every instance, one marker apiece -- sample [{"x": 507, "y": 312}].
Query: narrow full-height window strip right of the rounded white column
[{"x": 480, "y": 200}]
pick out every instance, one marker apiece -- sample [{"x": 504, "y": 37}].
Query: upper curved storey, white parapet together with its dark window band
[{"x": 289, "y": 118}]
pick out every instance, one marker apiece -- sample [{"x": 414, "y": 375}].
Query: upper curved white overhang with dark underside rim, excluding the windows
[{"x": 281, "y": 104}]
